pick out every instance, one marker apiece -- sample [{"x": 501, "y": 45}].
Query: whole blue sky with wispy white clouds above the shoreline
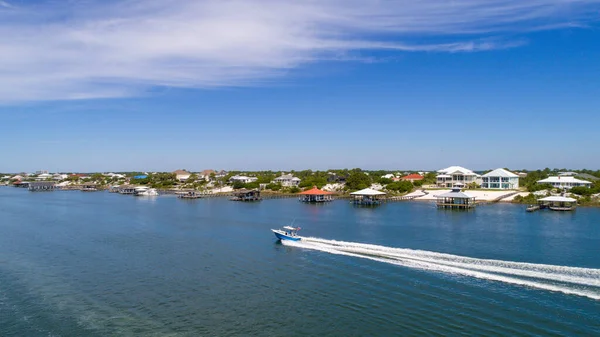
[{"x": 260, "y": 84}]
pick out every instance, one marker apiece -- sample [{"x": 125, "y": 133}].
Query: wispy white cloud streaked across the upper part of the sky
[{"x": 95, "y": 49}]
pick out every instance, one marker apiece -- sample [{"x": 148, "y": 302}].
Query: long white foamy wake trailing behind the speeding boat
[{"x": 568, "y": 280}]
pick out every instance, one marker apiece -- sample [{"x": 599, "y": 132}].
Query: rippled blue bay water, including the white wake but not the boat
[{"x": 100, "y": 264}]
